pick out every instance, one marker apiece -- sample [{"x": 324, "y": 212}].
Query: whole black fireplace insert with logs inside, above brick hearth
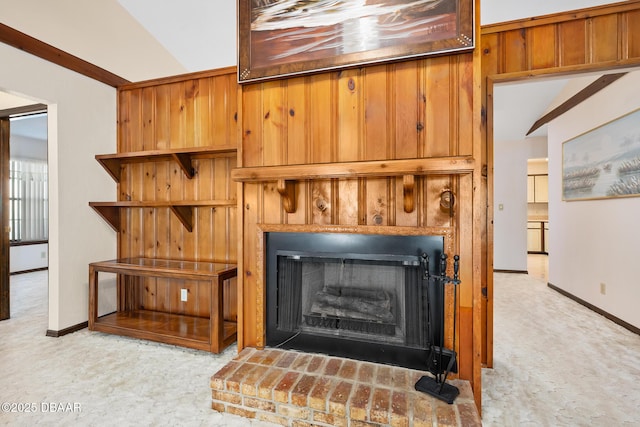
[{"x": 360, "y": 296}]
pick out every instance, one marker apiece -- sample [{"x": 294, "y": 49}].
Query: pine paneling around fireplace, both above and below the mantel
[{"x": 409, "y": 110}]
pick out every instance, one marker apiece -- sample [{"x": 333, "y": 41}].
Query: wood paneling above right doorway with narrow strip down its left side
[{"x": 595, "y": 39}]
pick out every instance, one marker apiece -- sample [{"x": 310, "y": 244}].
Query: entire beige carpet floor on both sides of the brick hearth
[{"x": 556, "y": 364}]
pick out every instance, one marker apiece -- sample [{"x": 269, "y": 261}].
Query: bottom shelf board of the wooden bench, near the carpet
[{"x": 175, "y": 329}]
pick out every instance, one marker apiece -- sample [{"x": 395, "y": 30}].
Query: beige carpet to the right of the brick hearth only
[{"x": 558, "y": 363}]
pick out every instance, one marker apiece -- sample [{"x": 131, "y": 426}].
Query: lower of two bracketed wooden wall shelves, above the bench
[{"x": 183, "y": 209}]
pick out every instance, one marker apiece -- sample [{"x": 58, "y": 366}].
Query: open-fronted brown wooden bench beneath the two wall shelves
[{"x": 171, "y": 325}]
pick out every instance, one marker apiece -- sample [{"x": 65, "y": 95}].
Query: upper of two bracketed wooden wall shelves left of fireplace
[{"x": 183, "y": 156}]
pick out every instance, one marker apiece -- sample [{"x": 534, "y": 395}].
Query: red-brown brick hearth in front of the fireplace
[{"x": 302, "y": 389}]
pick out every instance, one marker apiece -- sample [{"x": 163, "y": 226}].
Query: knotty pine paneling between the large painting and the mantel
[{"x": 391, "y": 111}]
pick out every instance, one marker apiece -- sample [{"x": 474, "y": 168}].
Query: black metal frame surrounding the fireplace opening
[{"x": 407, "y": 249}]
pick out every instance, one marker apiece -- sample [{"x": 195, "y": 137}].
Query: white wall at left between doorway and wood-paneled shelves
[{"x": 81, "y": 123}]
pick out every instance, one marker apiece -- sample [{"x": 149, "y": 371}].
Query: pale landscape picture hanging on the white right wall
[{"x": 604, "y": 162}]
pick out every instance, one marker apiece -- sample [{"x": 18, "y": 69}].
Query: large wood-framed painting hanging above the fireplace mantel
[{"x": 285, "y": 38}]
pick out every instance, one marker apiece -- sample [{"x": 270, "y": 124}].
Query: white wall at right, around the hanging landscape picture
[{"x": 595, "y": 241}]
